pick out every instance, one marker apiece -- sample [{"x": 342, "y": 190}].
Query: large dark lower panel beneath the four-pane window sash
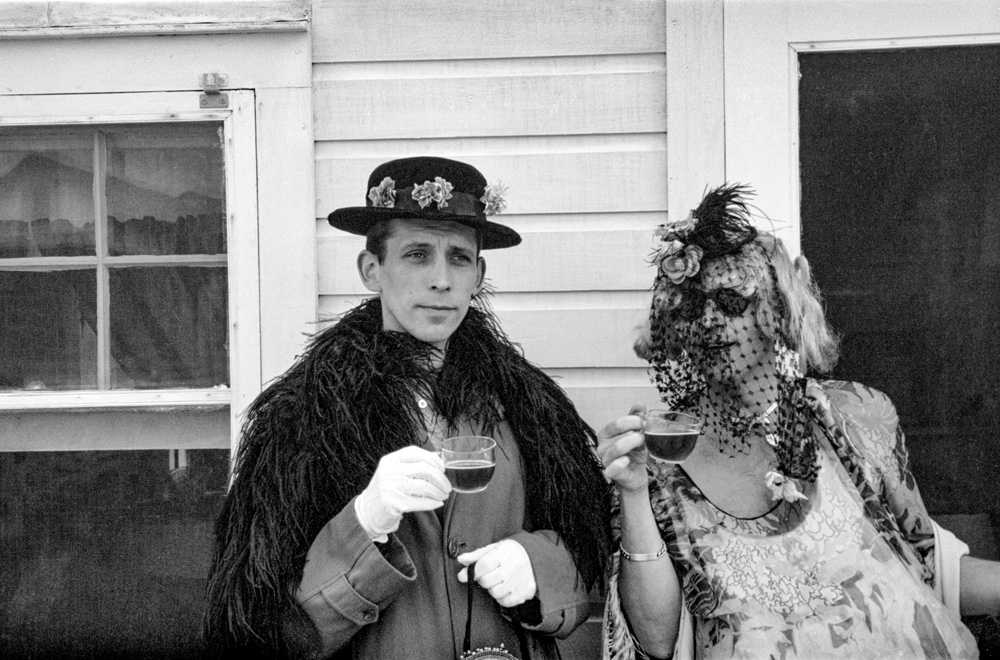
[{"x": 104, "y": 554}]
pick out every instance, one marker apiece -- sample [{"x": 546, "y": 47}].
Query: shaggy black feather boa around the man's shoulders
[{"x": 312, "y": 440}]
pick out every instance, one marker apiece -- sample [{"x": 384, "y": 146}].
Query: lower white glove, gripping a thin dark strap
[{"x": 504, "y": 569}]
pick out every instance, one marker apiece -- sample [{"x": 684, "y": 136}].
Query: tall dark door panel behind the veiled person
[{"x": 900, "y": 220}]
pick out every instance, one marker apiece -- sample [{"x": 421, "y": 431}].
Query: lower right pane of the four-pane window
[{"x": 168, "y": 327}]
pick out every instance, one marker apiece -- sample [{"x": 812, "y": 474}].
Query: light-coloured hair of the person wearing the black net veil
[{"x": 788, "y": 303}]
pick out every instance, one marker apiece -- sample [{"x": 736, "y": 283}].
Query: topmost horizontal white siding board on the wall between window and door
[{"x": 388, "y": 30}]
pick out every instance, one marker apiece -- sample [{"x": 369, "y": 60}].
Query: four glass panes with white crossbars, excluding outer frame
[{"x": 113, "y": 257}]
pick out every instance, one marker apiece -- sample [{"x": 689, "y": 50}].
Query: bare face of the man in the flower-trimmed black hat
[{"x": 427, "y": 280}]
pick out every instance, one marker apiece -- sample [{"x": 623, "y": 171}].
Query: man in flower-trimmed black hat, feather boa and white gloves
[{"x": 341, "y": 536}]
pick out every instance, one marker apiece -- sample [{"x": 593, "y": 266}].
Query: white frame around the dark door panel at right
[{"x": 761, "y": 44}]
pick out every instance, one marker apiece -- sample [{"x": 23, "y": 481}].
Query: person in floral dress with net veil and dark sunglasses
[{"x": 795, "y": 528}]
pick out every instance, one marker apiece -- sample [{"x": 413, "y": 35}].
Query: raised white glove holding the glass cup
[{"x": 408, "y": 479}]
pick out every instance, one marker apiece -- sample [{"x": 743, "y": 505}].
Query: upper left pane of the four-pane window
[{"x": 47, "y": 198}]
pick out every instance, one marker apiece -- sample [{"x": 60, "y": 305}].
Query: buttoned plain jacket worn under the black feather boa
[{"x": 403, "y": 599}]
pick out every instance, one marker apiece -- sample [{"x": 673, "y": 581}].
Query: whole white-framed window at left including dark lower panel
[{"x": 129, "y": 324}]
